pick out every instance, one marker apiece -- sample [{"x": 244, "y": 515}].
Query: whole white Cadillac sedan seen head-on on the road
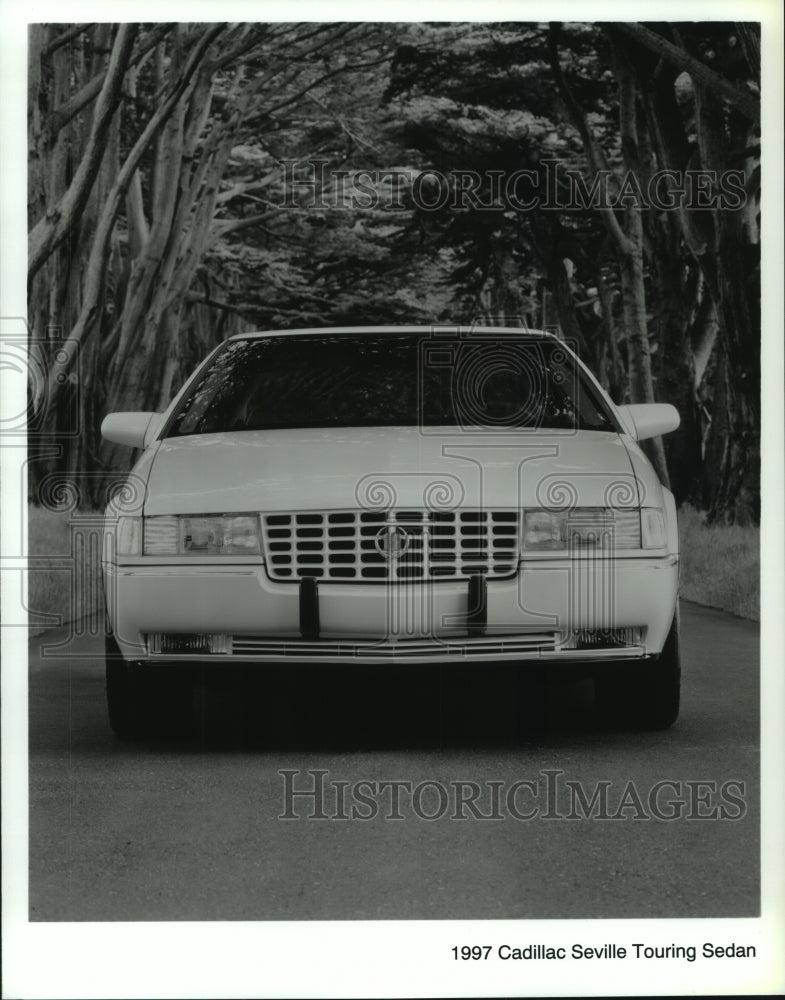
[{"x": 379, "y": 495}]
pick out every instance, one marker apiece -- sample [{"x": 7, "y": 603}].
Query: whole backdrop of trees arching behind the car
[{"x": 192, "y": 181}]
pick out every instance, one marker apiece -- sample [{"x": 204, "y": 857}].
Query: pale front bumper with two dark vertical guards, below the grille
[{"x": 532, "y": 616}]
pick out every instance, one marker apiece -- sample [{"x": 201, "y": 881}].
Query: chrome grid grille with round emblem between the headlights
[{"x": 391, "y": 545}]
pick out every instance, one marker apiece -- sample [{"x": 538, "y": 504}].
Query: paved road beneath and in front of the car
[{"x": 188, "y": 827}]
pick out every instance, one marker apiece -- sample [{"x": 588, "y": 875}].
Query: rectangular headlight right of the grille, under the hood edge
[{"x": 582, "y": 528}]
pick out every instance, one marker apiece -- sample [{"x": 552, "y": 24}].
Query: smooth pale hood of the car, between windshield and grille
[{"x": 318, "y": 469}]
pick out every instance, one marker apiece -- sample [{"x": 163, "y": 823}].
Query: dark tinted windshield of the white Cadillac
[{"x": 372, "y": 380}]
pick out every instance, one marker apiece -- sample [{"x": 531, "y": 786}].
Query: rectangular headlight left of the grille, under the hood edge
[{"x": 216, "y": 535}]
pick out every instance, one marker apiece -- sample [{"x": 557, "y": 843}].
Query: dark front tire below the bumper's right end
[{"x": 644, "y": 696}]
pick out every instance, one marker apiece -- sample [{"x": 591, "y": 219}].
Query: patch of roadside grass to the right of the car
[{"x": 720, "y": 565}]
